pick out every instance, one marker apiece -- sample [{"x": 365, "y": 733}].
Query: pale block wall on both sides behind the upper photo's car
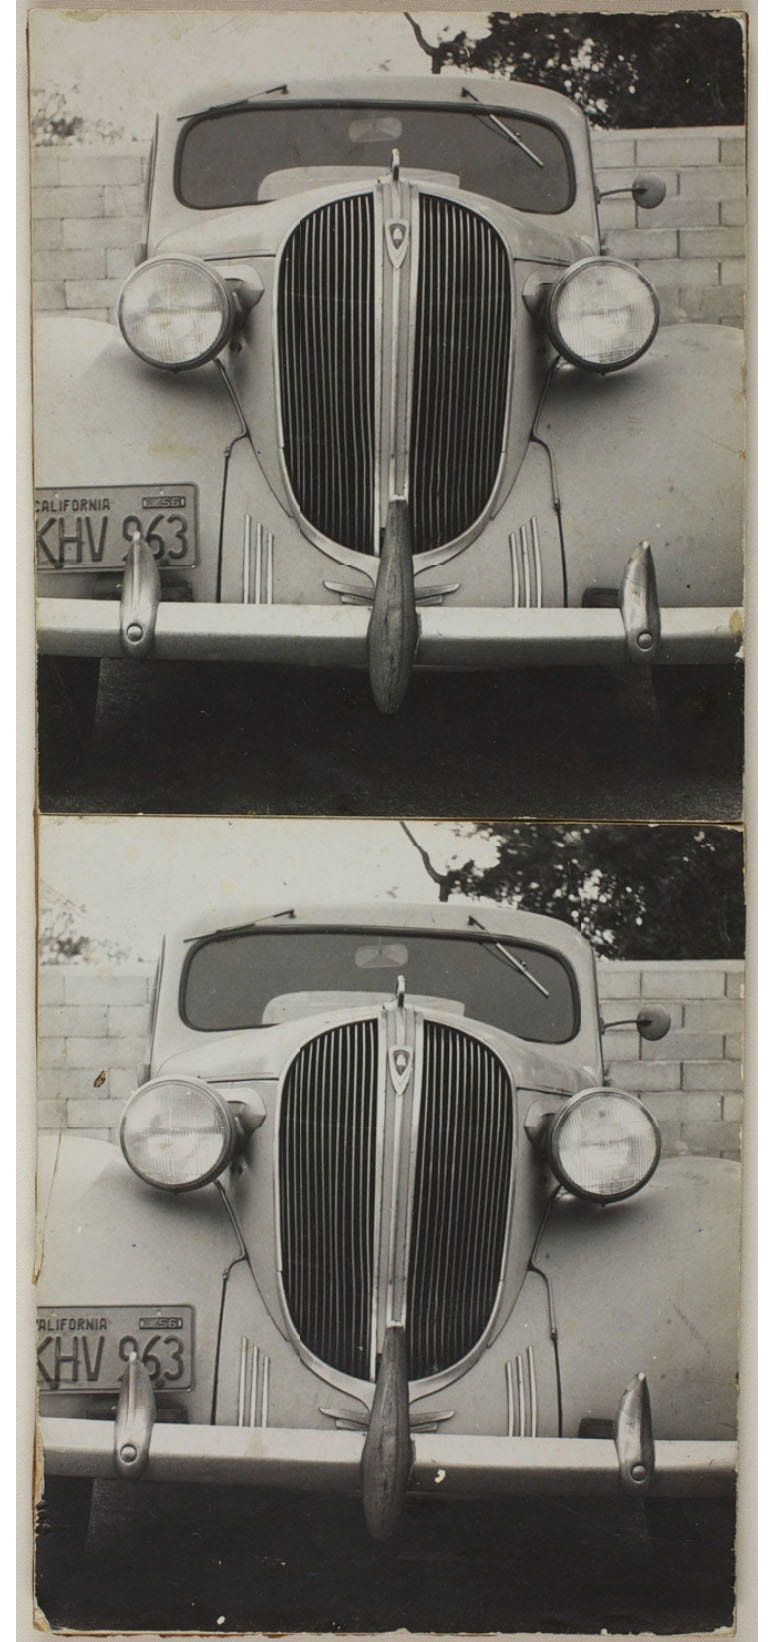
[{"x": 88, "y": 218}]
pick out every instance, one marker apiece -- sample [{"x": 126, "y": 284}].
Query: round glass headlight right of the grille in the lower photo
[{"x": 605, "y": 1145}]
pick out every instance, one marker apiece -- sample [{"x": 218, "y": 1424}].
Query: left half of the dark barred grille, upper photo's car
[{"x": 326, "y": 313}]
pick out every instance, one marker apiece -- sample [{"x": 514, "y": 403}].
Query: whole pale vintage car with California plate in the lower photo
[{"x": 378, "y": 1224}]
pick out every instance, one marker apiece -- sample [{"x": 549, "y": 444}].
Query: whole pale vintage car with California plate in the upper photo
[{"x": 380, "y": 398}]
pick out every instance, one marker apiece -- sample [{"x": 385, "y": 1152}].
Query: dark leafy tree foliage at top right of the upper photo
[{"x": 624, "y": 70}]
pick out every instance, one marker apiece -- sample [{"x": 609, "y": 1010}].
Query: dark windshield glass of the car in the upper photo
[{"x": 245, "y": 157}]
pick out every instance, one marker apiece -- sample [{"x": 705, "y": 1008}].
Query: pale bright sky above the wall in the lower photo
[{"x": 130, "y": 878}]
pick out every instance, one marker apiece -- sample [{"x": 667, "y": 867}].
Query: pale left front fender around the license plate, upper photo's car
[{"x": 106, "y": 418}]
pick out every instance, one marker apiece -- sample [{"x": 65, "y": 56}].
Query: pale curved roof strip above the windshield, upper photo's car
[{"x": 367, "y": 88}]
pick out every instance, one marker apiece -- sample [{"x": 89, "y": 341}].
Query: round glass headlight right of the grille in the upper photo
[{"x": 603, "y": 314}]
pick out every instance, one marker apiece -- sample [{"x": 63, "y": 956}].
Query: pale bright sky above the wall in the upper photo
[{"x": 126, "y": 67}]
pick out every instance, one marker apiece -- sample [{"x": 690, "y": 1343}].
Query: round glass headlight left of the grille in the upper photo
[{"x": 175, "y": 313}]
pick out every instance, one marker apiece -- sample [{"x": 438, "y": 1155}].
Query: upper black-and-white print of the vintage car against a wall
[{"x": 390, "y": 424}]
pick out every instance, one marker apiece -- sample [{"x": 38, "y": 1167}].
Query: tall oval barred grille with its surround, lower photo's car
[{"x": 455, "y": 1185}]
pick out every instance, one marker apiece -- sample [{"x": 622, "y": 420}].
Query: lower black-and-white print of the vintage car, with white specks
[{"x": 388, "y": 1257}]
